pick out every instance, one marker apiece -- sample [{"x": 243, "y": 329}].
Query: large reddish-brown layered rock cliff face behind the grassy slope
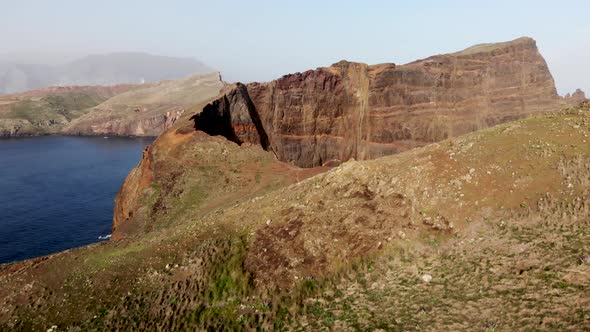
[{"x": 353, "y": 110}]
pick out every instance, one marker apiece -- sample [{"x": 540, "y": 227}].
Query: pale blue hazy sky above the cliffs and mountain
[{"x": 260, "y": 40}]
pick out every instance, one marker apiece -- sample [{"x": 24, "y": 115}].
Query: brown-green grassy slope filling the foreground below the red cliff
[{"x": 498, "y": 218}]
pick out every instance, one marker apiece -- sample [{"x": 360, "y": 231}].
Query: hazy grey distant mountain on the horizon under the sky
[{"x": 105, "y": 69}]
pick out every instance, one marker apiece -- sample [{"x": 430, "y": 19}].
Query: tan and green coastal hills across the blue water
[{"x": 124, "y": 109}]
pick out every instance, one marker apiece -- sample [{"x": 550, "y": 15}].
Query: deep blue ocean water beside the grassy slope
[{"x": 58, "y": 193}]
